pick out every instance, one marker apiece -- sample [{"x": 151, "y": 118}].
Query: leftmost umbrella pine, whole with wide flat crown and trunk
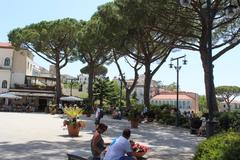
[{"x": 54, "y": 41}]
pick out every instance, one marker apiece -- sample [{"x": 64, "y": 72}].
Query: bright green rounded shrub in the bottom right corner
[{"x": 225, "y": 146}]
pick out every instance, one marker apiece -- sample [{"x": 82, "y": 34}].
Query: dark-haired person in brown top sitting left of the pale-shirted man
[{"x": 97, "y": 143}]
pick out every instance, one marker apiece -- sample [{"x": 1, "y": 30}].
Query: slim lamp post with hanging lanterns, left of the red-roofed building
[{"x": 177, "y": 67}]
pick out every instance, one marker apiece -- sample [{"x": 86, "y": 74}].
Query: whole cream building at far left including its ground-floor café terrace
[{"x": 20, "y": 75}]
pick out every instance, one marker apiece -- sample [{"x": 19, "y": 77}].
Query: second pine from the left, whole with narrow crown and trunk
[{"x": 93, "y": 48}]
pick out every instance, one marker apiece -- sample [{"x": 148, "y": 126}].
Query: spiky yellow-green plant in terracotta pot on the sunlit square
[{"x": 72, "y": 123}]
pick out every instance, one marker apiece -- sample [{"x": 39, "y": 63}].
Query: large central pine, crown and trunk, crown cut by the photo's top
[{"x": 133, "y": 27}]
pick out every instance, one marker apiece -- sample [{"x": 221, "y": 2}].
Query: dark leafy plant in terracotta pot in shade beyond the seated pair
[{"x": 134, "y": 117}]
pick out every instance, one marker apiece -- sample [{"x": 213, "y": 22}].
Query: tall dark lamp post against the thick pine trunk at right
[{"x": 208, "y": 13}]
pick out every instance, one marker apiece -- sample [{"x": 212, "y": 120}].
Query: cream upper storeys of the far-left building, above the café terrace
[{"x": 14, "y": 66}]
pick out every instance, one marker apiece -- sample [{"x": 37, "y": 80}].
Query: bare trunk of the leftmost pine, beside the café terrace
[{"x": 58, "y": 81}]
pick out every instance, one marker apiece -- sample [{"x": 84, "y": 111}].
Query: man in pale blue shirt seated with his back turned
[{"x": 120, "y": 147}]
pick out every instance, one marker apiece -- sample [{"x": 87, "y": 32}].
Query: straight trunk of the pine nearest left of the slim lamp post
[{"x": 147, "y": 84}]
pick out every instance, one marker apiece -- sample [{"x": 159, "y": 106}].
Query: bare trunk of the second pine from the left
[{"x": 90, "y": 84}]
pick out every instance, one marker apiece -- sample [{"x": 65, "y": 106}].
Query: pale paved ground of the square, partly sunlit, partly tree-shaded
[{"x": 39, "y": 136}]
